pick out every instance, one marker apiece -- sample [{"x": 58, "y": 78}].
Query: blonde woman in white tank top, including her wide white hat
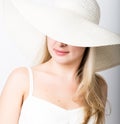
[{"x": 64, "y": 87}]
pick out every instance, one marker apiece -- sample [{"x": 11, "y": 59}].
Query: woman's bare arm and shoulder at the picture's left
[{"x": 12, "y": 95}]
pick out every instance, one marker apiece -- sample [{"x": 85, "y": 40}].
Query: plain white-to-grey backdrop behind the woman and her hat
[{"x": 11, "y": 57}]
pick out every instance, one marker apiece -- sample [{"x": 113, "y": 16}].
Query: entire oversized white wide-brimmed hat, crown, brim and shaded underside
[{"x": 74, "y": 22}]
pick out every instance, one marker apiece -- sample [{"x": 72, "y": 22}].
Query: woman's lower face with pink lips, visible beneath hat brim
[{"x": 63, "y": 53}]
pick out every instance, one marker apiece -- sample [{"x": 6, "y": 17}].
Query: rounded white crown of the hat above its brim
[{"x": 89, "y": 9}]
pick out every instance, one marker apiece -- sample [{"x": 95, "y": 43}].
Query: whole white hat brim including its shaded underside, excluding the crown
[{"x": 26, "y": 34}]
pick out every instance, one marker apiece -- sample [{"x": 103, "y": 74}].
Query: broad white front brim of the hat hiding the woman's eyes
[{"x": 66, "y": 26}]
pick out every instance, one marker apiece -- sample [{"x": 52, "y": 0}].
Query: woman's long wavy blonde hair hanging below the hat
[{"x": 89, "y": 87}]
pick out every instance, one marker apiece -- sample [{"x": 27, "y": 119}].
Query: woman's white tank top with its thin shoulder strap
[{"x": 38, "y": 111}]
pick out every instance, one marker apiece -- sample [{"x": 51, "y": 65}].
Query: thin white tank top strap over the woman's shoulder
[{"x": 30, "y": 81}]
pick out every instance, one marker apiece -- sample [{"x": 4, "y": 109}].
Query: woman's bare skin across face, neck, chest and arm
[{"x": 54, "y": 81}]
